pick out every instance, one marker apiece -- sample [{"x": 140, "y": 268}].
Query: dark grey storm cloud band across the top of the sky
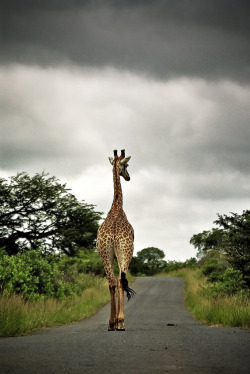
[{"x": 165, "y": 39}]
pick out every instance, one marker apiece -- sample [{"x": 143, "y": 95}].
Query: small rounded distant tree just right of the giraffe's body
[{"x": 152, "y": 260}]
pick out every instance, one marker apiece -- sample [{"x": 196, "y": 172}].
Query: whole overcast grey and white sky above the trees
[{"x": 168, "y": 81}]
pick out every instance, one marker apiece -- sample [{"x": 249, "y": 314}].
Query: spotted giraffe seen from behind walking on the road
[{"x": 115, "y": 238}]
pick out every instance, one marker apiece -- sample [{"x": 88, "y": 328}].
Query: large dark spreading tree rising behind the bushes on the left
[{"x": 39, "y": 212}]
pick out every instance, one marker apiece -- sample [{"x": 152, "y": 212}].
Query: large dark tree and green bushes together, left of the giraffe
[{"x": 47, "y": 239}]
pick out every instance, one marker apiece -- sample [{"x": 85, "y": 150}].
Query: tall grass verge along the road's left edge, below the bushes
[{"x": 21, "y": 317}]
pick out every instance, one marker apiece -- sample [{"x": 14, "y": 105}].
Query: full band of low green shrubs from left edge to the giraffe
[{"x": 35, "y": 276}]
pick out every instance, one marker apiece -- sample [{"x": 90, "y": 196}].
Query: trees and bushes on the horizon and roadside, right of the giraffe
[{"x": 223, "y": 256}]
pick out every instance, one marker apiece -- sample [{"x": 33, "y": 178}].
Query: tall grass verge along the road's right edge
[{"x": 220, "y": 310}]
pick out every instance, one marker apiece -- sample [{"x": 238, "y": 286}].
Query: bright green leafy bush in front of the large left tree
[{"x": 35, "y": 276}]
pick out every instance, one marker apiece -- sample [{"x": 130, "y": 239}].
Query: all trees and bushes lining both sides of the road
[{"x": 48, "y": 241}]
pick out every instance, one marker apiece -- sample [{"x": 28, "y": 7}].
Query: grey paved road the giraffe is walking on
[{"x": 149, "y": 344}]
